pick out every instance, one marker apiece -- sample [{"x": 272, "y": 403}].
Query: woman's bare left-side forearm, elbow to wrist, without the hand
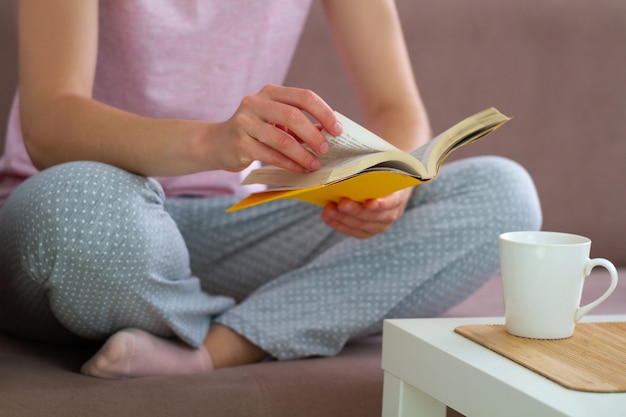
[{"x": 68, "y": 128}]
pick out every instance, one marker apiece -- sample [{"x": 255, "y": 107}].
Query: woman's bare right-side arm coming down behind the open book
[{"x": 380, "y": 69}]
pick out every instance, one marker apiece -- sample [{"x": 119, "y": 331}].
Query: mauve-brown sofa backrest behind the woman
[{"x": 556, "y": 66}]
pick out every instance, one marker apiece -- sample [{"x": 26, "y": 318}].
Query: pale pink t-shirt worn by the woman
[{"x": 192, "y": 59}]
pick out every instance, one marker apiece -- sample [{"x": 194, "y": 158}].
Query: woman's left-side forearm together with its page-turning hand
[{"x": 65, "y": 127}]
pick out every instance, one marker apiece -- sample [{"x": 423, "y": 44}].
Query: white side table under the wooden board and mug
[{"x": 428, "y": 367}]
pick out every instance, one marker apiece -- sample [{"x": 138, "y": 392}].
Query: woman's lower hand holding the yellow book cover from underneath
[{"x": 365, "y": 220}]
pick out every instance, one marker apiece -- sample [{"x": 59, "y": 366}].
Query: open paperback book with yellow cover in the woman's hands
[{"x": 361, "y": 166}]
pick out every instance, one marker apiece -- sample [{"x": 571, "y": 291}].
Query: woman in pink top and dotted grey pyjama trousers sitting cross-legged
[{"x": 142, "y": 115}]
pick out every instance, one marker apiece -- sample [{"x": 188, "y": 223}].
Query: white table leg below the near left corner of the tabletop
[{"x": 401, "y": 399}]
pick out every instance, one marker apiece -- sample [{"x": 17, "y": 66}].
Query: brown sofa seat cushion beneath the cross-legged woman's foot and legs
[{"x": 44, "y": 380}]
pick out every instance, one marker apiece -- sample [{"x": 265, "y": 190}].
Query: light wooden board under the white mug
[{"x": 592, "y": 360}]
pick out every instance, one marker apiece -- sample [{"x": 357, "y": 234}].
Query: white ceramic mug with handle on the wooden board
[{"x": 542, "y": 281}]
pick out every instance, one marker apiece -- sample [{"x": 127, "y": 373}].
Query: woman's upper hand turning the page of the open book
[{"x": 273, "y": 127}]
